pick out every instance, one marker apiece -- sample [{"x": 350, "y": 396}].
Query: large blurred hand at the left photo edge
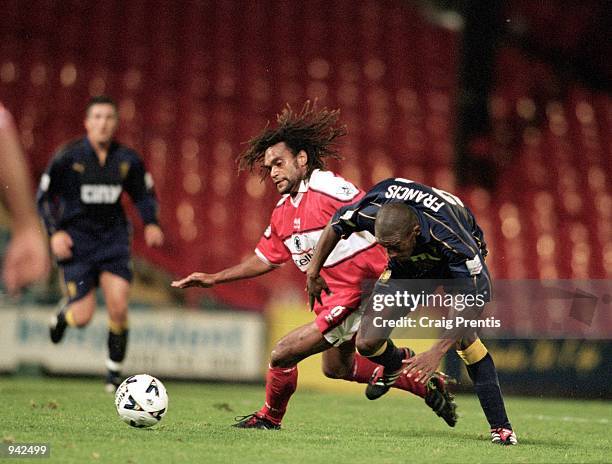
[{"x": 26, "y": 261}]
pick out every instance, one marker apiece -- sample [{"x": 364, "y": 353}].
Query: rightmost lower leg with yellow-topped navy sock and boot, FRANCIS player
[{"x": 481, "y": 370}]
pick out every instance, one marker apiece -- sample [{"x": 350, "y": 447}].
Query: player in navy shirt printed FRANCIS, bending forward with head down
[{"x": 428, "y": 234}]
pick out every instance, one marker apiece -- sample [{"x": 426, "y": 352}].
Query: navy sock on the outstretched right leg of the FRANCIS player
[{"x": 486, "y": 385}]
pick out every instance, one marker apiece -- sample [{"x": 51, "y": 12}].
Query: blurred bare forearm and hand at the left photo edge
[{"x": 27, "y": 258}]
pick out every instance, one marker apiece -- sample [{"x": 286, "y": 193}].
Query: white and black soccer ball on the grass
[{"x": 141, "y": 400}]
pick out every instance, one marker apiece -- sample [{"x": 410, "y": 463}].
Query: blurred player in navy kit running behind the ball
[{"x": 79, "y": 199}]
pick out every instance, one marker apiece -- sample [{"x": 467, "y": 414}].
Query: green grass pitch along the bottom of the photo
[{"x": 80, "y": 422}]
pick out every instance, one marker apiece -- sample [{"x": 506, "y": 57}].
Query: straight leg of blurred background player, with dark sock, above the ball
[{"x": 116, "y": 295}]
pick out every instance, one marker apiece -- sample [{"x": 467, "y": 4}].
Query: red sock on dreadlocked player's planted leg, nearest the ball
[{"x": 281, "y": 382}]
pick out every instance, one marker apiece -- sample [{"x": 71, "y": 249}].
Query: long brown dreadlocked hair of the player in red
[{"x": 310, "y": 130}]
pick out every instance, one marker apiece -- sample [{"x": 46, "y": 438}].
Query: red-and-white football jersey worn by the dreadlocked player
[{"x": 295, "y": 228}]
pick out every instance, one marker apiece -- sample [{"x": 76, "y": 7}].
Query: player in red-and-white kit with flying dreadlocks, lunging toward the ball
[{"x": 293, "y": 155}]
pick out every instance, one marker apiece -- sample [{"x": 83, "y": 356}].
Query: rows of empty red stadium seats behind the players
[{"x": 194, "y": 83}]
